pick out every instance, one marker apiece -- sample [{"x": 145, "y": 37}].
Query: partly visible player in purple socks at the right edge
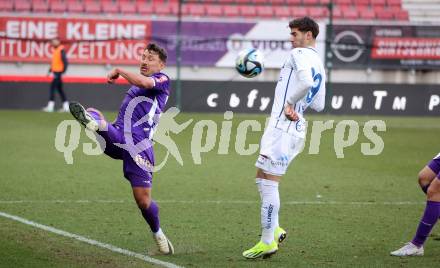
[{"x": 429, "y": 180}]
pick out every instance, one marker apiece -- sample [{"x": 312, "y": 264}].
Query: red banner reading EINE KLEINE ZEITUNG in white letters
[{"x": 96, "y": 41}]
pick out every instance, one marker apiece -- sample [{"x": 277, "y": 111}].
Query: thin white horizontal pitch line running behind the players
[{"x": 357, "y": 203}]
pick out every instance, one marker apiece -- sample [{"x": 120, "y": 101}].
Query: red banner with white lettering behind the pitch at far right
[{"x": 405, "y": 48}]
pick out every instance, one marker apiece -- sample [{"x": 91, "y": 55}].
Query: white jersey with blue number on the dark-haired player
[{"x": 299, "y": 59}]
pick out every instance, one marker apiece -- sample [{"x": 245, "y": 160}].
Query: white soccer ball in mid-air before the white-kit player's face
[{"x": 249, "y": 62}]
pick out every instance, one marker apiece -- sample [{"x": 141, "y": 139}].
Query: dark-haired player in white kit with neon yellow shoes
[{"x": 301, "y": 84}]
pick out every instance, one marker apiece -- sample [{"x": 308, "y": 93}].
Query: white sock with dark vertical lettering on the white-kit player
[{"x": 269, "y": 209}]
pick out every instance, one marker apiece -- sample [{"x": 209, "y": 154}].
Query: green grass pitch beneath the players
[{"x": 348, "y": 212}]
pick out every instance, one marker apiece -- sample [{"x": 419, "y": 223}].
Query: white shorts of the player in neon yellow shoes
[{"x": 277, "y": 149}]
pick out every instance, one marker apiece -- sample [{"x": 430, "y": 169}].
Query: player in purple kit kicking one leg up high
[{"x": 129, "y": 138}]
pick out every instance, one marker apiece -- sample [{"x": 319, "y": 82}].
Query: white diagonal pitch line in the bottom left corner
[{"x": 90, "y": 241}]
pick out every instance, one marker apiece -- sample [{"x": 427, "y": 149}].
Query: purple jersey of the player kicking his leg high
[{"x": 146, "y": 109}]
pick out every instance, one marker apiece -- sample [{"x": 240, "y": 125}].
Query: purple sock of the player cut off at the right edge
[{"x": 430, "y": 217}]
